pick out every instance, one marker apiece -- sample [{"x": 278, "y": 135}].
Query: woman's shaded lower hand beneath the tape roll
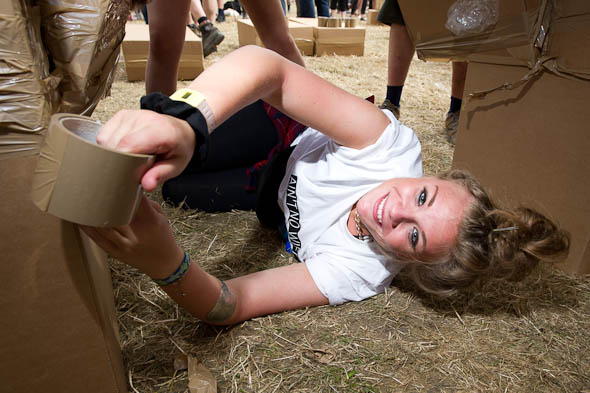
[{"x": 147, "y": 243}]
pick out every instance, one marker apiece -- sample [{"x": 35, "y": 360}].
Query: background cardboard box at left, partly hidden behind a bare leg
[{"x": 136, "y": 48}]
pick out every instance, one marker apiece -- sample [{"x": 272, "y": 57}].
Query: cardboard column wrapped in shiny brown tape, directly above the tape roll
[{"x": 83, "y": 38}]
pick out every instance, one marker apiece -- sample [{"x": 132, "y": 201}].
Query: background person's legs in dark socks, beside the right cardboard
[{"x": 400, "y": 54}]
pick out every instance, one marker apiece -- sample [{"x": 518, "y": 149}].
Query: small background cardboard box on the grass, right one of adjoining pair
[{"x": 342, "y": 41}]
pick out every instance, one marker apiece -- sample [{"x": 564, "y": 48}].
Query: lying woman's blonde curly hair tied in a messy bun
[{"x": 484, "y": 250}]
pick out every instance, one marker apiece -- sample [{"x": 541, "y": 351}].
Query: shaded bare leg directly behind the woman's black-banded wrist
[{"x": 167, "y": 31}]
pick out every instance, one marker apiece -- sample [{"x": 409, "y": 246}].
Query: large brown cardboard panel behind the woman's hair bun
[{"x": 529, "y": 146}]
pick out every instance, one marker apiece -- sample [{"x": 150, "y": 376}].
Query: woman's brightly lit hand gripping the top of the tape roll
[{"x": 145, "y": 132}]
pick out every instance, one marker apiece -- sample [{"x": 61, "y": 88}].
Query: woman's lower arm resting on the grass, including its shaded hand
[{"x": 148, "y": 244}]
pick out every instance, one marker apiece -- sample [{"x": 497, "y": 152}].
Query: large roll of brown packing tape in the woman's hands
[{"x": 82, "y": 182}]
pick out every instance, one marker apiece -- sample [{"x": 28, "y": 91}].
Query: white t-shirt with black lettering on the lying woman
[{"x": 323, "y": 180}]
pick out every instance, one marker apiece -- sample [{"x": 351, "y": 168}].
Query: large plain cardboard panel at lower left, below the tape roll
[{"x": 58, "y": 331}]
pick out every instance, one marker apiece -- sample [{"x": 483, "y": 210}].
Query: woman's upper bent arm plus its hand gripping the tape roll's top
[{"x": 242, "y": 77}]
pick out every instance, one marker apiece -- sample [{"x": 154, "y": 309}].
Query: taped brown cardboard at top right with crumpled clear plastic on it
[{"x": 517, "y": 27}]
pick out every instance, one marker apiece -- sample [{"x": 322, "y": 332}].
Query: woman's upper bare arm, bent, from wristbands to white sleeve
[{"x": 253, "y": 73}]
